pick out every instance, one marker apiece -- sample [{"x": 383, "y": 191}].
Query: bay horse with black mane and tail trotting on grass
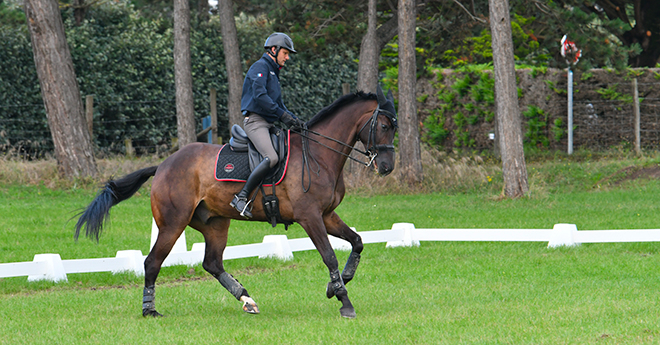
[{"x": 184, "y": 192}]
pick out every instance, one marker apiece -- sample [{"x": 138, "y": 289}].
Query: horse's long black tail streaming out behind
[{"x": 114, "y": 192}]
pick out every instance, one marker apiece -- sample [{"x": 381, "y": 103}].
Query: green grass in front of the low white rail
[{"x": 439, "y": 293}]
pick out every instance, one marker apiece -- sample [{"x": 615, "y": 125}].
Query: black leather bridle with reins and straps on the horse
[{"x": 372, "y": 149}]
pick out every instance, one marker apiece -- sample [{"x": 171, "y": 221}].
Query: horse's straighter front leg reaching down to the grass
[{"x": 317, "y": 233}]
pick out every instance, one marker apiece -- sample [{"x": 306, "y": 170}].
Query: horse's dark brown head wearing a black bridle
[{"x": 380, "y": 137}]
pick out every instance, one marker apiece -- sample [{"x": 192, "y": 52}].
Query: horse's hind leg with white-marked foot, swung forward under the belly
[{"x": 215, "y": 232}]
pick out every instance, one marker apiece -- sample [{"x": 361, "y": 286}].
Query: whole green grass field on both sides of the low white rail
[{"x": 438, "y": 293}]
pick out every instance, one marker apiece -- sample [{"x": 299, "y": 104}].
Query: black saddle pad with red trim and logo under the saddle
[{"x": 233, "y": 166}]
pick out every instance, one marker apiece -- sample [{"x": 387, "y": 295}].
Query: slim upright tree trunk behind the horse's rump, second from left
[{"x": 185, "y": 110}]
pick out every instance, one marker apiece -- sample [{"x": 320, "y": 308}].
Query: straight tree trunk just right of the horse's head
[{"x": 409, "y": 148}]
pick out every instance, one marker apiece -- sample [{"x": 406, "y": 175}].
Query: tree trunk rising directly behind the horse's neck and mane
[{"x": 369, "y": 54}]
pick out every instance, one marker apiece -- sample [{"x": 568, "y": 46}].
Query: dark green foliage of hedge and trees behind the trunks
[{"x": 122, "y": 54}]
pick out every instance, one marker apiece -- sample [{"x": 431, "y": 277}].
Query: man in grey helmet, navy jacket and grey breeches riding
[{"x": 262, "y": 105}]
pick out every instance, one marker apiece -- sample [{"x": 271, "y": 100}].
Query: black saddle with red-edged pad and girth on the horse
[{"x": 236, "y": 160}]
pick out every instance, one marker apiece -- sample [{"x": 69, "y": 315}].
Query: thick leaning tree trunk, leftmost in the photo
[{"x": 59, "y": 89}]
